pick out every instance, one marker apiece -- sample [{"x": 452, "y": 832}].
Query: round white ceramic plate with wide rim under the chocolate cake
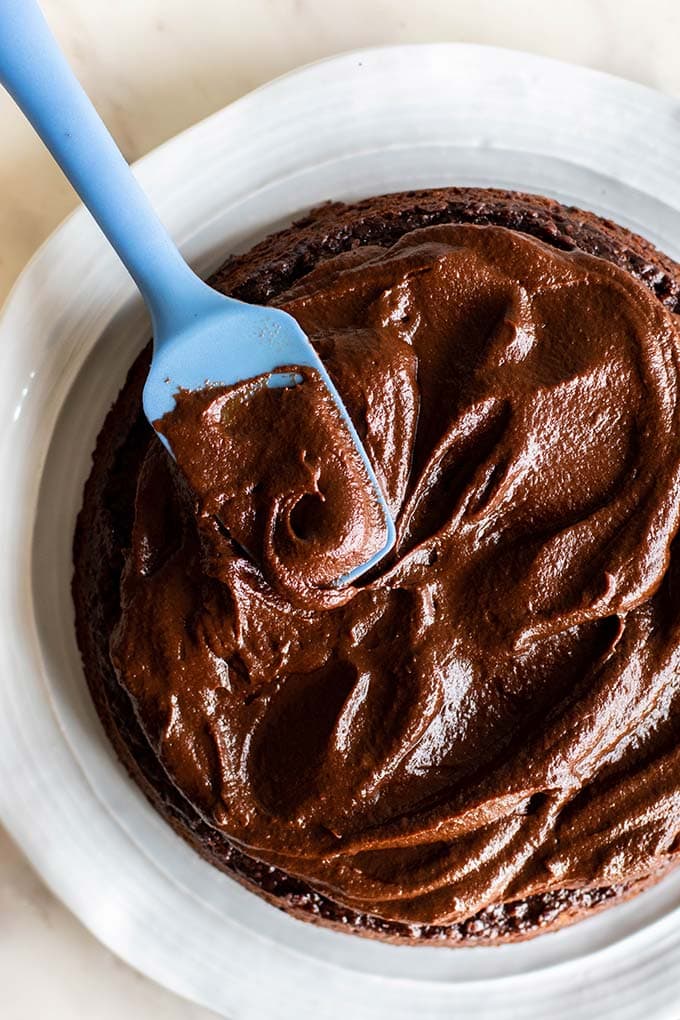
[{"x": 361, "y": 124}]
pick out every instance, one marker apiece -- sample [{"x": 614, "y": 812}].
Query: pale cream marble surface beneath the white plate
[{"x": 152, "y": 69}]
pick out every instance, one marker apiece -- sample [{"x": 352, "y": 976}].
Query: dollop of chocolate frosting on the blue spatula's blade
[{"x": 276, "y": 469}]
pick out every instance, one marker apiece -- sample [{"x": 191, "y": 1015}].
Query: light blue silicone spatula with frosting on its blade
[{"x": 200, "y": 337}]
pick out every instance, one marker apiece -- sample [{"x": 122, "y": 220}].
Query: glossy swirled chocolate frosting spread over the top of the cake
[{"x": 496, "y": 712}]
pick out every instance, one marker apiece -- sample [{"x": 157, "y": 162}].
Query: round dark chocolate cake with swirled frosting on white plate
[{"x": 480, "y": 741}]
